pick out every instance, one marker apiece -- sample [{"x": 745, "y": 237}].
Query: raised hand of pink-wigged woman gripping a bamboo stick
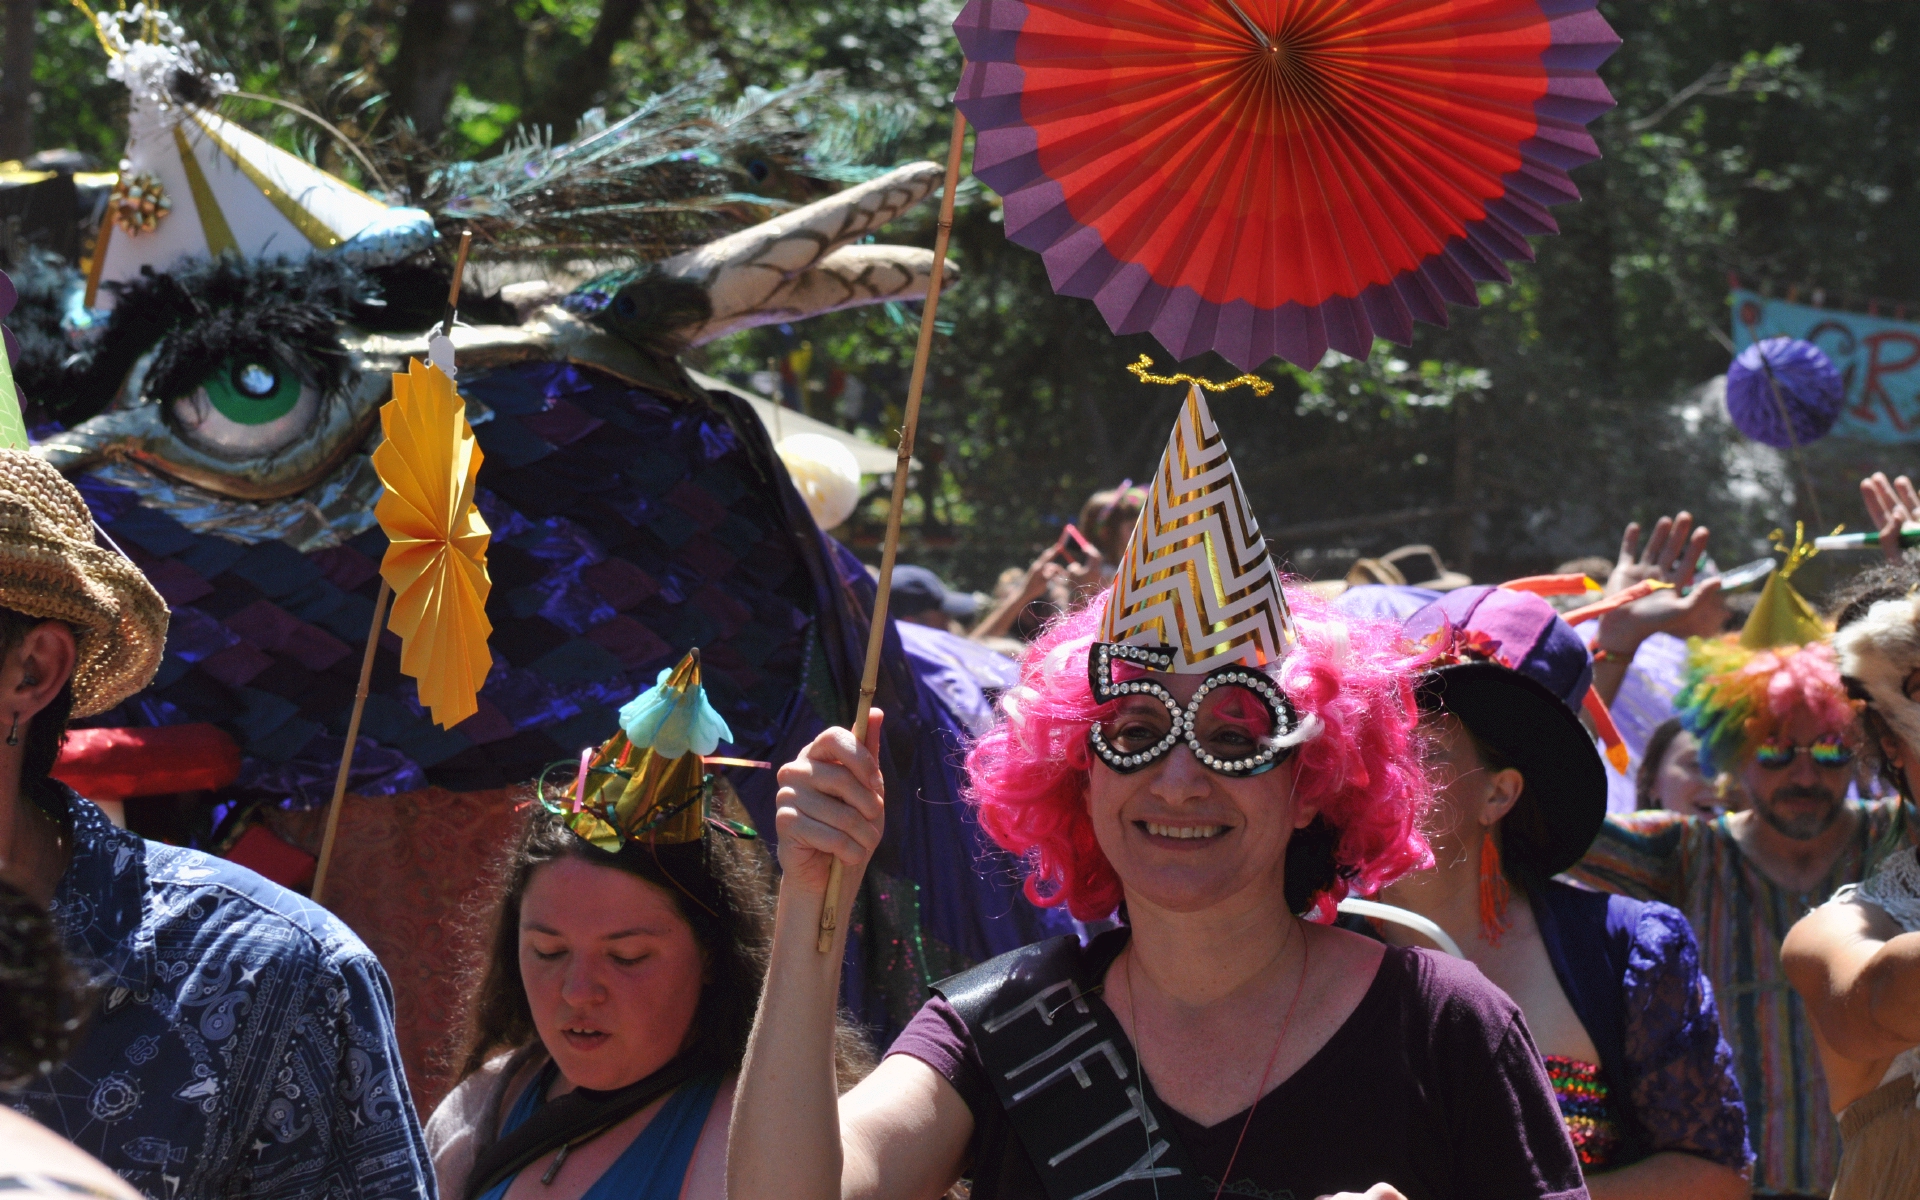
[{"x": 832, "y": 805}]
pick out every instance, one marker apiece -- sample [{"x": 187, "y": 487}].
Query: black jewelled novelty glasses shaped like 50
[{"x": 1239, "y": 723}]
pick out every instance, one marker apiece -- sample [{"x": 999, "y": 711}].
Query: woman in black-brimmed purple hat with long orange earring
[{"x": 1612, "y": 988}]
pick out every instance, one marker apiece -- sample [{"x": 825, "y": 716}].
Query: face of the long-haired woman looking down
[{"x": 612, "y": 972}]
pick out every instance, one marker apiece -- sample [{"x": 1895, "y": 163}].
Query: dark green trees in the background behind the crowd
[{"x": 1773, "y": 141}]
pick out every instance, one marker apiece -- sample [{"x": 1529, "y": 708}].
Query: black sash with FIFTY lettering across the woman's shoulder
[{"x": 1067, "y": 1074}]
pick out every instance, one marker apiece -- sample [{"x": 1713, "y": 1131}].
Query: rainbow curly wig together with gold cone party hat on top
[{"x": 1740, "y": 690}]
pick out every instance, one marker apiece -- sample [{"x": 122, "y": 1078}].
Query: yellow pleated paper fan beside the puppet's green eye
[{"x": 437, "y": 542}]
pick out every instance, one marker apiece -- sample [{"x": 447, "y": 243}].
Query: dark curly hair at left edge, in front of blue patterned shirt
[{"x": 39, "y": 994}]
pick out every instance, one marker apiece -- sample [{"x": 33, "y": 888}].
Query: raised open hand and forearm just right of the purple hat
[{"x": 1671, "y": 556}]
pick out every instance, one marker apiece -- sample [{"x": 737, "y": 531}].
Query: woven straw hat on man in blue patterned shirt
[{"x": 51, "y": 567}]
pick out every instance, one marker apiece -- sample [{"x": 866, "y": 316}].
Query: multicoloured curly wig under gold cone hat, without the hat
[{"x": 1735, "y": 698}]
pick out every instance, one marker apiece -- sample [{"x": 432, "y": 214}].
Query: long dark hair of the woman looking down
[{"x": 721, "y": 886}]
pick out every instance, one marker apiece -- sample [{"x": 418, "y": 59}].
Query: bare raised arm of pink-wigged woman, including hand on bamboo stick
[{"x": 905, "y": 1130}]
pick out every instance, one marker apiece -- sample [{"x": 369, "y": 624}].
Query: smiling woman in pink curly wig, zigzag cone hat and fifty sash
[{"x": 1209, "y": 757}]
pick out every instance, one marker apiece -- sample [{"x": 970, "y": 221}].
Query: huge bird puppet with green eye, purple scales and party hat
[{"x": 218, "y": 379}]
